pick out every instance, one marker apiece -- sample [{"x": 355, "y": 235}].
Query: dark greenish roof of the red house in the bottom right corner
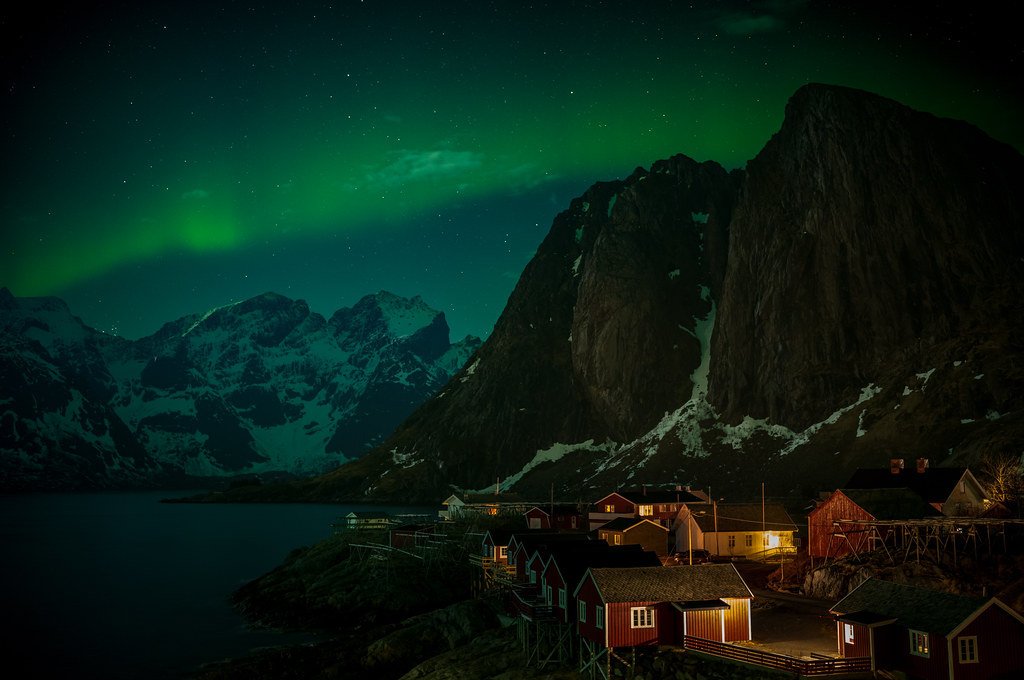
[{"x": 920, "y": 609}]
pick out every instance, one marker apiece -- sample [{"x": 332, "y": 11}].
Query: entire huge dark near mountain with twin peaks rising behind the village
[{"x": 854, "y": 295}]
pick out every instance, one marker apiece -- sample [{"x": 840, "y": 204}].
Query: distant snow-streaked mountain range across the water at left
[{"x": 257, "y": 387}]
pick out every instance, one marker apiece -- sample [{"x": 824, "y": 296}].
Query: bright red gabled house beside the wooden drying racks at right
[{"x": 833, "y": 529}]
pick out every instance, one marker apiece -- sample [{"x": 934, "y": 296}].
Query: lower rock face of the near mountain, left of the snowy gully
[{"x": 611, "y": 304}]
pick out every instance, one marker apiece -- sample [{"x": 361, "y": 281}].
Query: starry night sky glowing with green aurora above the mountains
[{"x": 162, "y": 159}]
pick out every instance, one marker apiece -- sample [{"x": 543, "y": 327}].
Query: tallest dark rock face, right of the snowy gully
[{"x": 865, "y": 230}]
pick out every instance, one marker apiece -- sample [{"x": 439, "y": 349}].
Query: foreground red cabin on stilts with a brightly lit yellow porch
[{"x": 629, "y": 608}]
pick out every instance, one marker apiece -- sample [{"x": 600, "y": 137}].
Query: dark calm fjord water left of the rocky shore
[{"x": 123, "y": 586}]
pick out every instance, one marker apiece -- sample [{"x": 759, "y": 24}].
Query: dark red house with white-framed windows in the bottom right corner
[{"x": 928, "y": 634}]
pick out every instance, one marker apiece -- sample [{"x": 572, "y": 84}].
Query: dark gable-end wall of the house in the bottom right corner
[{"x": 1000, "y": 646}]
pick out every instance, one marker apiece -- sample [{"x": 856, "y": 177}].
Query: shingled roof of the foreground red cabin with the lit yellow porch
[{"x": 669, "y": 584}]
